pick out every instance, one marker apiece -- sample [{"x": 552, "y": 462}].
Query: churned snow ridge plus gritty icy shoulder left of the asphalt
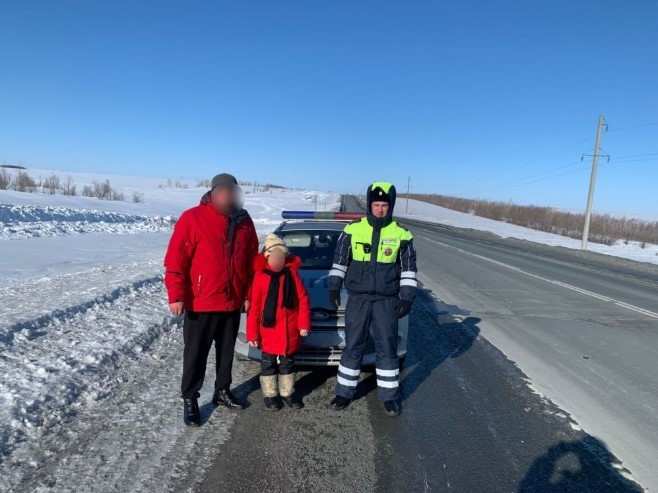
[{"x": 94, "y": 406}]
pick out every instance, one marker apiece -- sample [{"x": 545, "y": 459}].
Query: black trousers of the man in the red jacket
[{"x": 200, "y": 329}]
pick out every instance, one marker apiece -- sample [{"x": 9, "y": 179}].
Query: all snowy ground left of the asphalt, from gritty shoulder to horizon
[{"x": 89, "y": 356}]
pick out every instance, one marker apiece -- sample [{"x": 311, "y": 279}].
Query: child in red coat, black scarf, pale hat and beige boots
[{"x": 279, "y": 313}]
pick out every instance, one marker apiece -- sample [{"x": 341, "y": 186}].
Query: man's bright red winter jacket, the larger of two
[{"x": 205, "y": 268}]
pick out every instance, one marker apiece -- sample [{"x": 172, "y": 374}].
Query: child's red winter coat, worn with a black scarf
[{"x": 283, "y": 338}]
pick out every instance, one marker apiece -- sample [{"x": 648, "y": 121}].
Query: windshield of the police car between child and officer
[{"x": 315, "y": 248}]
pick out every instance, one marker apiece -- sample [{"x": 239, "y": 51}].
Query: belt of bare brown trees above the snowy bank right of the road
[{"x": 604, "y": 228}]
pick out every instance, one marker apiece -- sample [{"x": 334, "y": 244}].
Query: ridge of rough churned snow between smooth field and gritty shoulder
[{"x": 50, "y": 372}]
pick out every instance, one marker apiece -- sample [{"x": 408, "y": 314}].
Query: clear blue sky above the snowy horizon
[{"x": 494, "y": 99}]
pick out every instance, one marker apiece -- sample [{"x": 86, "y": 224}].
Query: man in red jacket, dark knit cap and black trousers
[{"x": 208, "y": 270}]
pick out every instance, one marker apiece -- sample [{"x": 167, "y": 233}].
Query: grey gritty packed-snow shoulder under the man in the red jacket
[{"x": 135, "y": 441}]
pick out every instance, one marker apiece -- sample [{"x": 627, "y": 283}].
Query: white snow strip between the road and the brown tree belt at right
[{"x": 433, "y": 213}]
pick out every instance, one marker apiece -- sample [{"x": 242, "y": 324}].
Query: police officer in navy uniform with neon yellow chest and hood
[{"x": 376, "y": 259}]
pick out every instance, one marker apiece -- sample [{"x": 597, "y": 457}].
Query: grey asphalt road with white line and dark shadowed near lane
[{"x": 530, "y": 369}]
